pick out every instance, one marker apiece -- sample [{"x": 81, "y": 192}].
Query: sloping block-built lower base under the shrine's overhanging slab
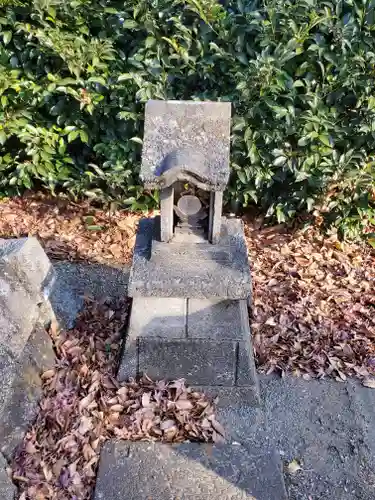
[{"x": 205, "y": 341}]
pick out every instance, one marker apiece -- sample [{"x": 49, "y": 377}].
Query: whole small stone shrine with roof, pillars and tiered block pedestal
[{"x": 190, "y": 279}]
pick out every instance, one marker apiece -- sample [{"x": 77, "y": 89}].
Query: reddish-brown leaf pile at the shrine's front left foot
[{"x": 83, "y": 405}]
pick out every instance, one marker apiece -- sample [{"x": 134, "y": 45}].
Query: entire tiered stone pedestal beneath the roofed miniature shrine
[{"x": 189, "y": 316}]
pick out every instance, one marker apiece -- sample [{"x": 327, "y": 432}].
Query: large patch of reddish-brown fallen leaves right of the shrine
[{"x": 313, "y": 304}]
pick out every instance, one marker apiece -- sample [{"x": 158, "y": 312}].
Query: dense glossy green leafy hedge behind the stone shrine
[{"x": 74, "y": 76}]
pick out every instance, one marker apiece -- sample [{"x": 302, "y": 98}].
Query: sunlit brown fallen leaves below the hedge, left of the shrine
[{"x": 70, "y": 231}]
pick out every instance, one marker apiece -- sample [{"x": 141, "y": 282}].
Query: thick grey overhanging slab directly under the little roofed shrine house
[{"x": 189, "y": 273}]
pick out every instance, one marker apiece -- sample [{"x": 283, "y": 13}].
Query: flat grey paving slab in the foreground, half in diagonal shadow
[{"x": 189, "y": 471}]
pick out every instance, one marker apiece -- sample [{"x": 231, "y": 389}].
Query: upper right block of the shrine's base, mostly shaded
[{"x": 215, "y": 319}]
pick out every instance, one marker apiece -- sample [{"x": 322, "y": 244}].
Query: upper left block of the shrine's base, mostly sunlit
[{"x": 157, "y": 317}]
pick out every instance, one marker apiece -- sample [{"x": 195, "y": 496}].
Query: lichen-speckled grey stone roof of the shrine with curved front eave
[{"x": 187, "y": 141}]
